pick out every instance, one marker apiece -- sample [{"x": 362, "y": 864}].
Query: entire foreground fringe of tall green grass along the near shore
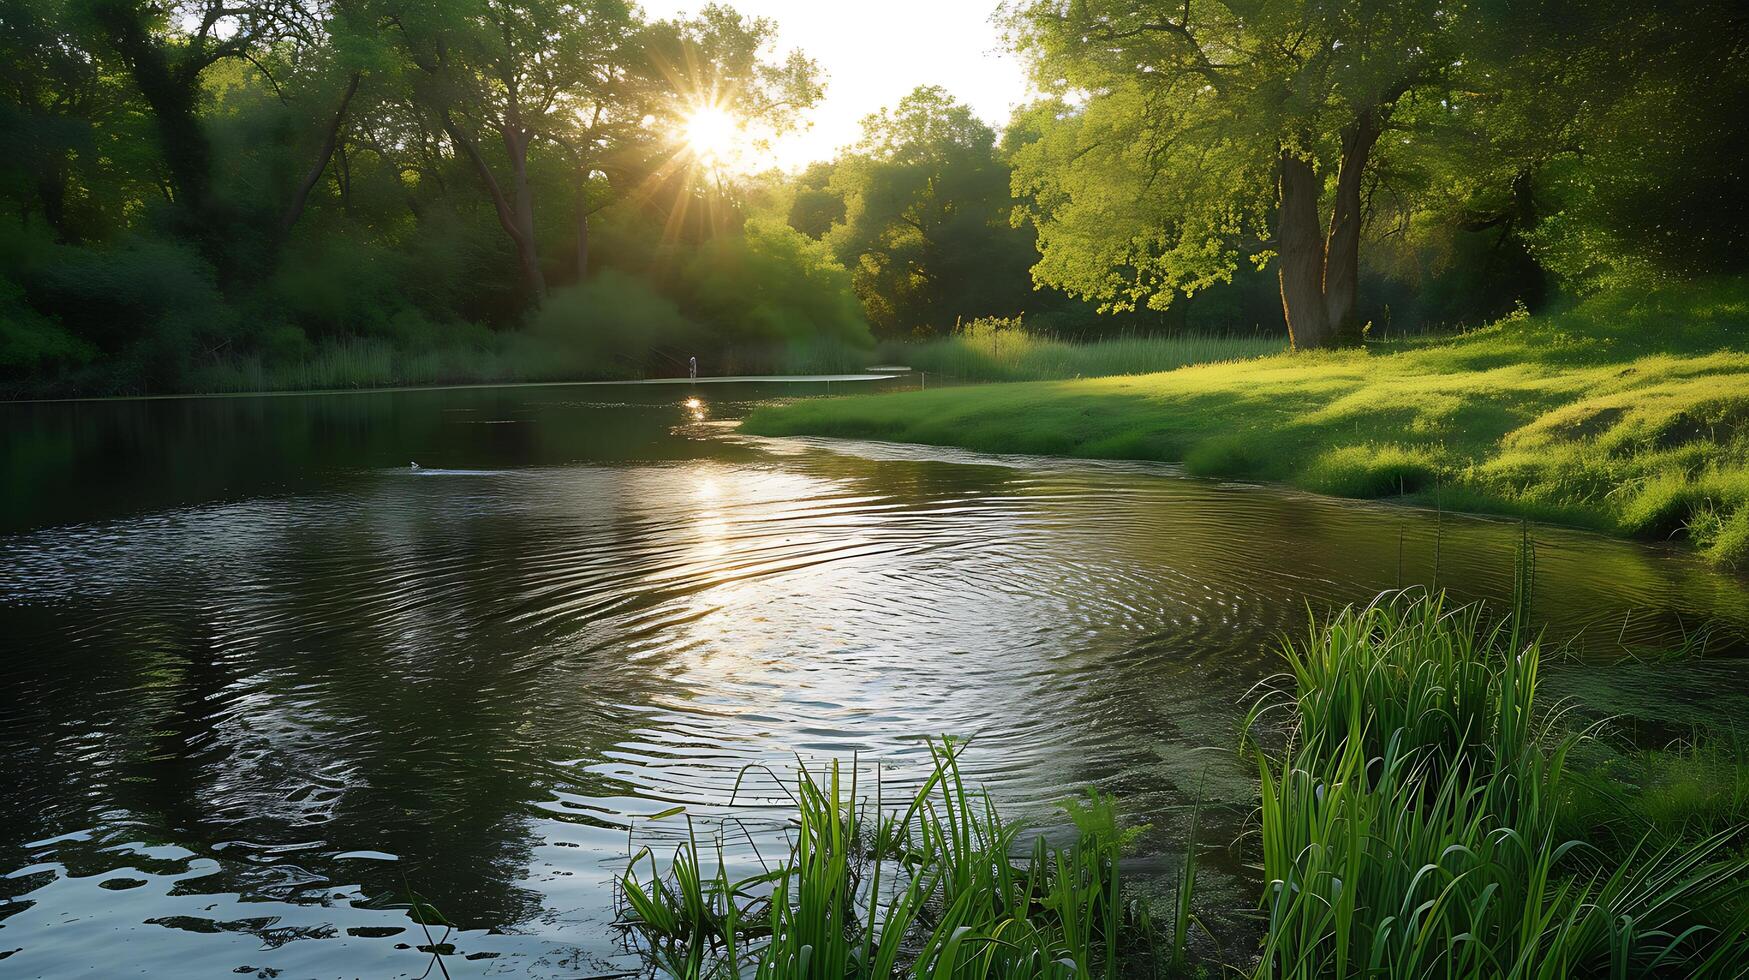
[{"x": 1421, "y": 815}]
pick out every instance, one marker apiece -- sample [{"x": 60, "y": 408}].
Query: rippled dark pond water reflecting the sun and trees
[{"x": 256, "y": 675}]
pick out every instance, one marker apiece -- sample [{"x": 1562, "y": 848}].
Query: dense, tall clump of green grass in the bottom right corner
[{"x": 1412, "y": 825}]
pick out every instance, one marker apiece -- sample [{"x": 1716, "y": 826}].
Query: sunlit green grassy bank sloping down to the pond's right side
[{"x": 1629, "y": 412}]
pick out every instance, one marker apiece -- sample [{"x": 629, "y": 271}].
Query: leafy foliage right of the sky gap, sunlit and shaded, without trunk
[{"x": 1578, "y": 137}]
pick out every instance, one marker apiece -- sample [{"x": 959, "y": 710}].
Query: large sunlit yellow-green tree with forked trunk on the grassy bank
[{"x": 1190, "y": 137}]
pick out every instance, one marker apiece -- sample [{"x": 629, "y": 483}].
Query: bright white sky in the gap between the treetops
[{"x": 877, "y": 53}]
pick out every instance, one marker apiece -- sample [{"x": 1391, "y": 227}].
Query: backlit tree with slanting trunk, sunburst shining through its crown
[{"x": 592, "y": 81}]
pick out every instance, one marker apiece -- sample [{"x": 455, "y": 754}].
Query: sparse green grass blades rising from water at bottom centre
[{"x": 930, "y": 890}]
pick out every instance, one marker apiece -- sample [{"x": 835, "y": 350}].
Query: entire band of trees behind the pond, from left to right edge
[{"x": 206, "y": 183}]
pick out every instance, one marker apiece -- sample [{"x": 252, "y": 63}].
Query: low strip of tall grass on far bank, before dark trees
[{"x": 1007, "y": 351}]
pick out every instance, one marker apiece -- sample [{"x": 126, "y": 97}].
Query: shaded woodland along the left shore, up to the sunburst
[{"x": 206, "y": 181}]
